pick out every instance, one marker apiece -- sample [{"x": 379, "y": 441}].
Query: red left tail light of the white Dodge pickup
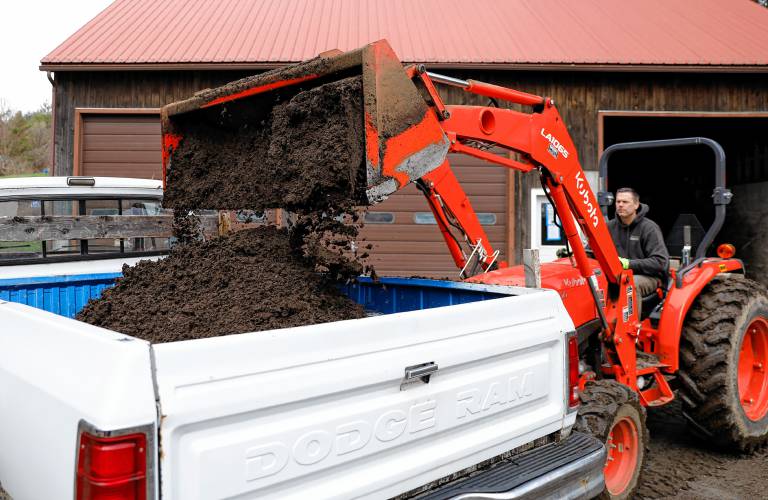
[{"x": 112, "y": 468}]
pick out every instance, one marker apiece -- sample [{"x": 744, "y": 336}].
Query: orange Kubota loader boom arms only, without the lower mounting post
[{"x": 543, "y": 142}]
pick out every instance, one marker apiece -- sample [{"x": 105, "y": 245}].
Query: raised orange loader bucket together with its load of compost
[{"x": 343, "y": 126}]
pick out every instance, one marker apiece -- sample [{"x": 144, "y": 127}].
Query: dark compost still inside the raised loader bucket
[{"x": 307, "y": 154}]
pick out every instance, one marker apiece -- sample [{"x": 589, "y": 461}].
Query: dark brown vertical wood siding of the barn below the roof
[{"x": 578, "y": 95}]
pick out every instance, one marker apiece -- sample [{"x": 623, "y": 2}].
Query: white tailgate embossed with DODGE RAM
[{"x": 322, "y": 411}]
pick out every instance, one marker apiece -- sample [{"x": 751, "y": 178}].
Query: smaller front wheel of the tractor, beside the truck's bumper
[{"x": 612, "y": 413}]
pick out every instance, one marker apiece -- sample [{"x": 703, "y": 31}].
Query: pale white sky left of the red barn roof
[{"x": 29, "y": 30}]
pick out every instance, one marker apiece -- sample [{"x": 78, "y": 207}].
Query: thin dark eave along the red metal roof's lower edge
[{"x": 652, "y": 68}]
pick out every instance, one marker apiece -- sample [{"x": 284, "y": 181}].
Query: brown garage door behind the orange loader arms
[{"x": 406, "y": 240}]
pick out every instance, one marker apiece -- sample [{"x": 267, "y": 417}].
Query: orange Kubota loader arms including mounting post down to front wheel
[{"x": 542, "y": 143}]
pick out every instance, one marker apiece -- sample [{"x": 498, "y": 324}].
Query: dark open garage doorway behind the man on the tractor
[{"x": 677, "y": 183}]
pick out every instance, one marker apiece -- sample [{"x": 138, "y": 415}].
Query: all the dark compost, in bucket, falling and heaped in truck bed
[{"x": 305, "y": 156}]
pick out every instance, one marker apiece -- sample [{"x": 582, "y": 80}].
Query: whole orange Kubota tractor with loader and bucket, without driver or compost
[{"x": 703, "y": 337}]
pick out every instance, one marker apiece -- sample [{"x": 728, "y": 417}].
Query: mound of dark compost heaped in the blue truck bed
[{"x": 250, "y": 281}]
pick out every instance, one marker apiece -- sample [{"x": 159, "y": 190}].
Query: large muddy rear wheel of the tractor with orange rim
[{"x": 723, "y": 353}]
